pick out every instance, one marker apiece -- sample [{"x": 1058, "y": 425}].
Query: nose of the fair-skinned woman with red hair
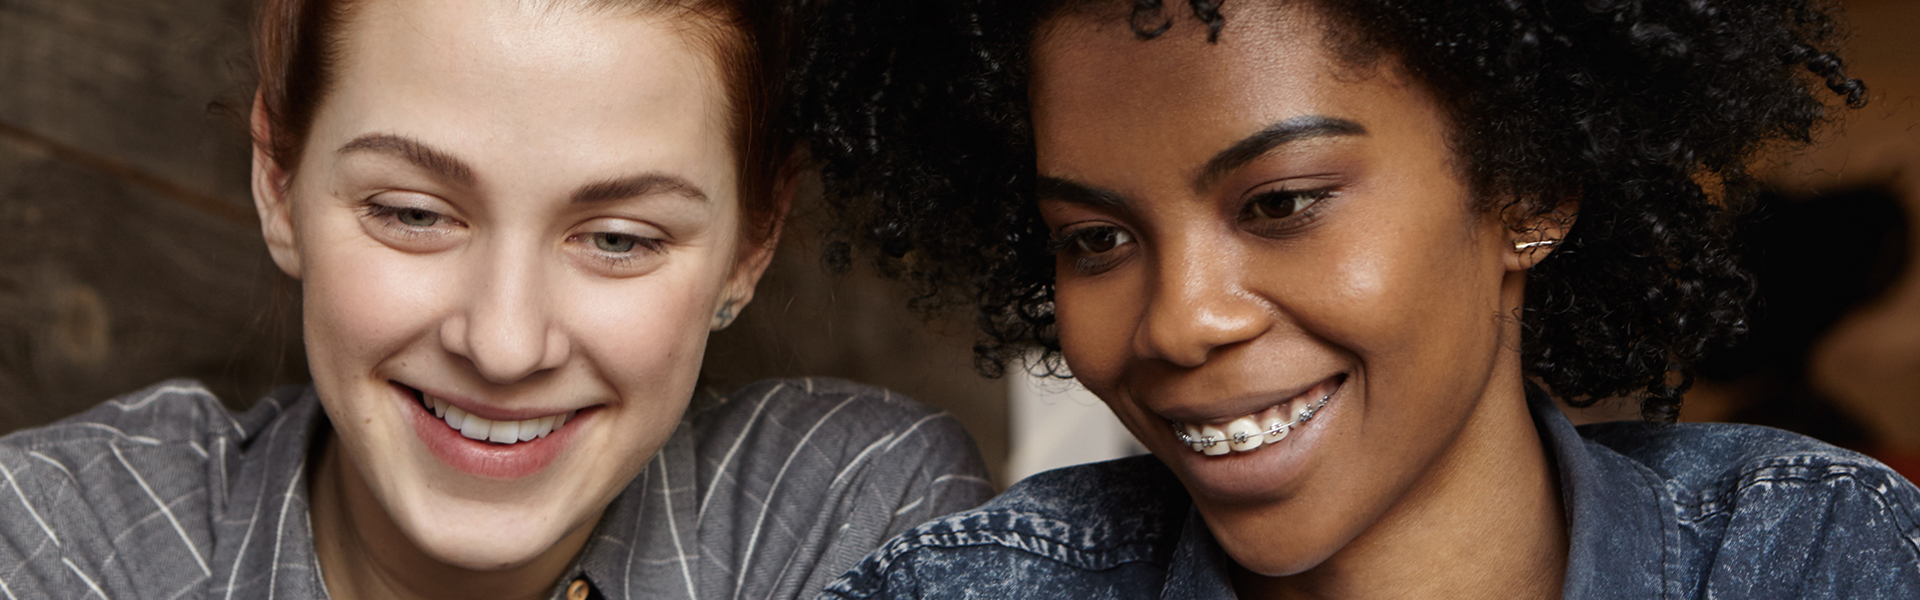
[{"x": 504, "y": 326}]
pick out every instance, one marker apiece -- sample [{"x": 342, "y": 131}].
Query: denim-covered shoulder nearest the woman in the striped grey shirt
[{"x": 1057, "y": 532}]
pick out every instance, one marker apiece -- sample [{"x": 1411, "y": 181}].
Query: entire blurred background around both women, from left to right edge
[{"x": 130, "y": 253}]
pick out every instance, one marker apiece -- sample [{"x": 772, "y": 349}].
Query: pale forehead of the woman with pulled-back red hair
[{"x": 533, "y": 84}]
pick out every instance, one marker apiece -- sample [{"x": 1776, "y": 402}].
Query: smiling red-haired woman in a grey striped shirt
[{"x": 516, "y": 224}]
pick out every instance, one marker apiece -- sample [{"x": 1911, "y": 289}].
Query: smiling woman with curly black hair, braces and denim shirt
[{"x": 1337, "y": 266}]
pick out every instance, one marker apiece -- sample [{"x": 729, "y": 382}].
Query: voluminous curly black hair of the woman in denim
[{"x": 1648, "y": 112}]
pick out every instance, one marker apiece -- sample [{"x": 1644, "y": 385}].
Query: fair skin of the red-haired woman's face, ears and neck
[{"x": 514, "y": 286}]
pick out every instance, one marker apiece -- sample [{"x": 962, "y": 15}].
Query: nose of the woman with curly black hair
[{"x": 1197, "y": 303}]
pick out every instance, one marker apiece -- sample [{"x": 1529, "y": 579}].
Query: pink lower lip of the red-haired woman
[{"x": 487, "y": 459}]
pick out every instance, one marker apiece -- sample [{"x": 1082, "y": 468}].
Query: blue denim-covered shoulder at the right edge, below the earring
[{"x": 1779, "y": 512}]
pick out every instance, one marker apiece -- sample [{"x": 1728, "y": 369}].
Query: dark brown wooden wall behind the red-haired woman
[{"x": 130, "y": 251}]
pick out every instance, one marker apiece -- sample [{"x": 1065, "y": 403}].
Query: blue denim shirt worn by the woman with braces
[{"x": 1654, "y": 512}]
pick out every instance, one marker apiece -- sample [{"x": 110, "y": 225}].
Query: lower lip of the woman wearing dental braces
[{"x": 1262, "y": 474}]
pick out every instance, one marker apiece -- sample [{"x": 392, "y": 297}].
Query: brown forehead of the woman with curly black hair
[{"x": 1101, "y": 95}]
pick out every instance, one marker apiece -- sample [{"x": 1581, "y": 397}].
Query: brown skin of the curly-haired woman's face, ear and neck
[{"x": 1347, "y": 257}]
